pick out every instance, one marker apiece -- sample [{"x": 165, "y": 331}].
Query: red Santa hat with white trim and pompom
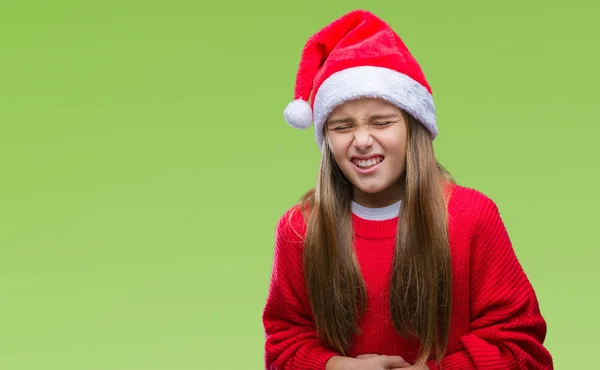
[{"x": 357, "y": 55}]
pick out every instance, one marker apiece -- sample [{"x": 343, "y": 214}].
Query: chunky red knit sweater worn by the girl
[{"x": 495, "y": 322}]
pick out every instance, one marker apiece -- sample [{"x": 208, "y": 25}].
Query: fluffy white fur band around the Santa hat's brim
[{"x": 375, "y": 82}]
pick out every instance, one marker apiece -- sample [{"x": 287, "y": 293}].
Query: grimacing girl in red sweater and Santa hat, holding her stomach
[{"x": 388, "y": 263}]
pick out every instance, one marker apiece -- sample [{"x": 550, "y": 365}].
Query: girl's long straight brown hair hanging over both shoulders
[{"x": 420, "y": 290}]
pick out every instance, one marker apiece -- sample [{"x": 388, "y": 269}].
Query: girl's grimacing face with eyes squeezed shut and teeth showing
[{"x": 367, "y": 138}]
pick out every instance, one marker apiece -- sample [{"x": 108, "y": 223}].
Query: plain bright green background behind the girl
[{"x": 145, "y": 162}]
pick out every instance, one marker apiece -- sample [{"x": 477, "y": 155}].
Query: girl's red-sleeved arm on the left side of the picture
[{"x": 291, "y": 337}]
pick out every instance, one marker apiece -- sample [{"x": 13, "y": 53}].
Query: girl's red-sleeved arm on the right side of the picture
[{"x": 508, "y": 329}]
